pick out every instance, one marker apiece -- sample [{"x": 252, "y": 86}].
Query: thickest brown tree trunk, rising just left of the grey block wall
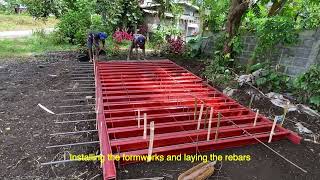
[{"x": 237, "y": 9}]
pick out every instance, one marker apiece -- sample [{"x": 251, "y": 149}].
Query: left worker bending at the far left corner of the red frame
[{"x": 93, "y": 44}]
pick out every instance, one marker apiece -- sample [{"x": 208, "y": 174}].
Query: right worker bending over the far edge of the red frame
[{"x": 138, "y": 41}]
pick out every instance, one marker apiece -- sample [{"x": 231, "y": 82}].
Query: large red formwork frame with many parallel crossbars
[{"x": 167, "y": 92}]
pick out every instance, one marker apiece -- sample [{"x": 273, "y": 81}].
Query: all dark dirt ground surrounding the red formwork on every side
[{"x": 25, "y": 131}]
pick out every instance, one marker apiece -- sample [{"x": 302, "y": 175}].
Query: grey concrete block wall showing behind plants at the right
[{"x": 293, "y": 60}]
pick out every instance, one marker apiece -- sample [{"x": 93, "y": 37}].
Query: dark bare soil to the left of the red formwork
[{"x": 25, "y": 128}]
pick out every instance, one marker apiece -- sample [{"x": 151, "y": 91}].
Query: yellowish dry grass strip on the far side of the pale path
[{"x": 13, "y": 22}]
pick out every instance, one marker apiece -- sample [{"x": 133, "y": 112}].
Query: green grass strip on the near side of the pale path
[{"x": 36, "y": 44}]
